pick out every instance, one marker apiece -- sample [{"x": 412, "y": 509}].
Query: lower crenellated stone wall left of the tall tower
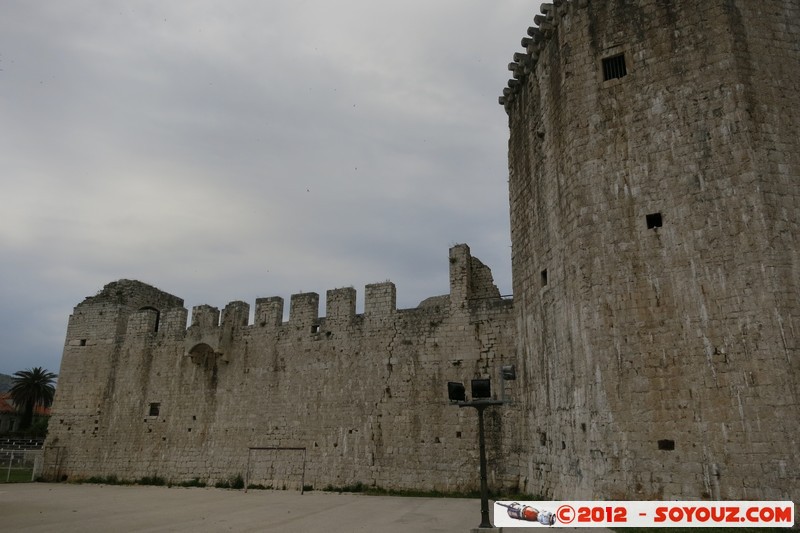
[{"x": 365, "y": 394}]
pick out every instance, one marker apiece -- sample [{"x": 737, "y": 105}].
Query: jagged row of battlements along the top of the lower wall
[{"x": 142, "y": 309}]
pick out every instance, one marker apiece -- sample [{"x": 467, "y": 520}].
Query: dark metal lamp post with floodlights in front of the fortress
[{"x": 481, "y": 399}]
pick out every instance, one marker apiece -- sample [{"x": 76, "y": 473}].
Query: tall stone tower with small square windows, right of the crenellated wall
[{"x": 654, "y": 161}]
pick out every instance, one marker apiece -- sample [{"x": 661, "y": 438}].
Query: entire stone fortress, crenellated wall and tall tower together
[{"x": 654, "y": 161}]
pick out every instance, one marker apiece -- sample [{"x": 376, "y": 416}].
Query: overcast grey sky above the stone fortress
[{"x": 232, "y": 150}]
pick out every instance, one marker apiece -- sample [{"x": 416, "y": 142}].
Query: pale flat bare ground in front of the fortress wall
[{"x": 61, "y": 507}]
